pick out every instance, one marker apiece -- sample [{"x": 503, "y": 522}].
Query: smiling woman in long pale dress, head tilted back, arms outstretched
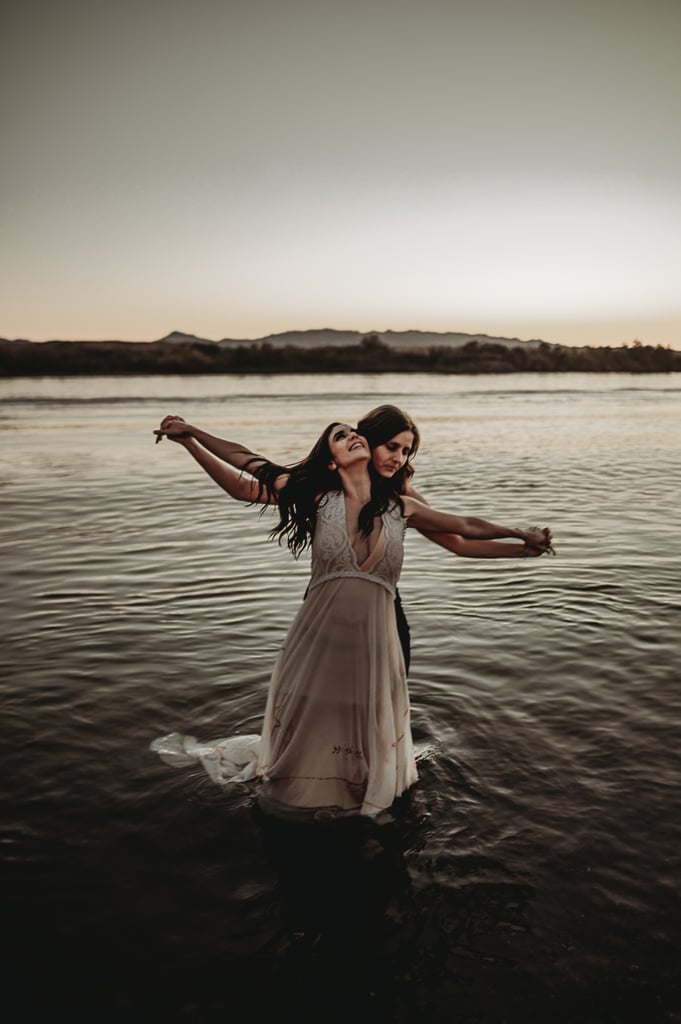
[{"x": 336, "y": 738}]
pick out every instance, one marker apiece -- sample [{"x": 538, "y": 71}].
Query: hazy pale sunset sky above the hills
[{"x": 238, "y": 168}]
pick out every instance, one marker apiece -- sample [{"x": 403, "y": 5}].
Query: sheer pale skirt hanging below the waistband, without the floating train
[{"x": 336, "y": 733}]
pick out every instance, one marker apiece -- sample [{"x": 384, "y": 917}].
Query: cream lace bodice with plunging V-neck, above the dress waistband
[{"x": 334, "y": 558}]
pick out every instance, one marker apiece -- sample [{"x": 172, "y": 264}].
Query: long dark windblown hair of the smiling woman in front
[{"x": 309, "y": 480}]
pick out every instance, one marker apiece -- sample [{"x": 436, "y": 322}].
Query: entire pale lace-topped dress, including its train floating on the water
[{"x": 336, "y": 737}]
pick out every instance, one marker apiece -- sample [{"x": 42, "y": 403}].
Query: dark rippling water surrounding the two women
[{"x": 533, "y": 875}]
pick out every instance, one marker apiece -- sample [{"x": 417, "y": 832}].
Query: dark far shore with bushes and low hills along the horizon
[{"x": 329, "y": 352}]
